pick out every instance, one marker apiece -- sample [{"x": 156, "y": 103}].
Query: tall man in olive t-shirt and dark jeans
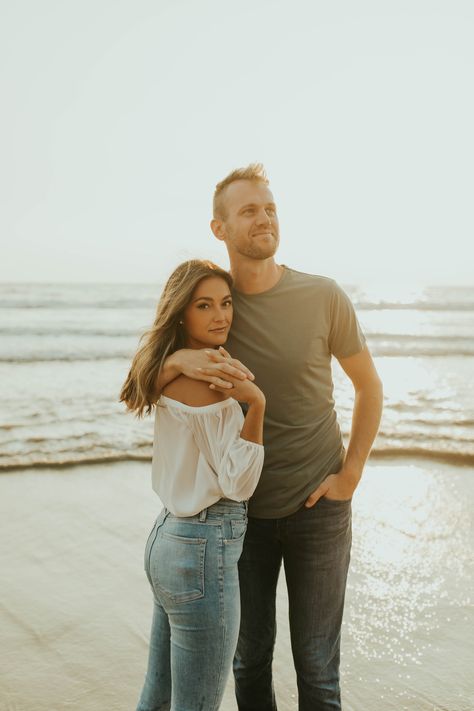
[{"x": 287, "y": 326}]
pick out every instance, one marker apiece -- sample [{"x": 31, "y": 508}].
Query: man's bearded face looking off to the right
[{"x": 250, "y": 226}]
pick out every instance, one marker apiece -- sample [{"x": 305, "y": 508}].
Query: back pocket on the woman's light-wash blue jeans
[{"x": 177, "y": 567}]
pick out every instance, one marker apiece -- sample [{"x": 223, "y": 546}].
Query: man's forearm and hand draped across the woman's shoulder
[{"x": 202, "y": 364}]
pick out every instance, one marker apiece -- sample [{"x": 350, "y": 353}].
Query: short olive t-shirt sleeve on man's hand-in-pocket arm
[{"x": 345, "y": 334}]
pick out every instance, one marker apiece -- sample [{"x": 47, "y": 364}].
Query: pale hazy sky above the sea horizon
[{"x": 119, "y": 117}]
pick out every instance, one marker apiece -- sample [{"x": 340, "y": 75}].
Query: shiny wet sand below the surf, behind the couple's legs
[{"x": 75, "y": 606}]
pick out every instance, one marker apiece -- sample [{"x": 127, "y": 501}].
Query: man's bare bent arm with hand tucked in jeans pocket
[{"x": 366, "y": 416}]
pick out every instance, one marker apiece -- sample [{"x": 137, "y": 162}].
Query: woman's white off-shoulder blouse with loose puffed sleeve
[{"x": 199, "y": 456}]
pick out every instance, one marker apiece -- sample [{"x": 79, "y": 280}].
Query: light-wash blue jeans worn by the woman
[{"x": 191, "y": 564}]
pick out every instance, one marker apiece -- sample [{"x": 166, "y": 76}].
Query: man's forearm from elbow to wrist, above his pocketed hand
[{"x": 365, "y": 424}]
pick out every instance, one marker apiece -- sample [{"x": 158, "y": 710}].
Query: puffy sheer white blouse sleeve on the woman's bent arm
[{"x": 236, "y": 462}]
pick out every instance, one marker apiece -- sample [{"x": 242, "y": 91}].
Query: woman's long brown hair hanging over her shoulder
[{"x": 166, "y": 335}]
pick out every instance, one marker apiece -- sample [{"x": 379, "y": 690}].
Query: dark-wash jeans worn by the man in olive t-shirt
[{"x": 314, "y": 544}]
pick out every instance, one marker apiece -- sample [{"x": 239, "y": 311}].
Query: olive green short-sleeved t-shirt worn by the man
[{"x": 287, "y": 336}]
